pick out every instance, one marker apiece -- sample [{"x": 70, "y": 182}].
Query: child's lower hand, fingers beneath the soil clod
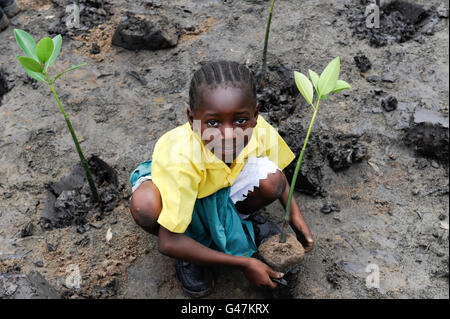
[{"x": 258, "y": 273}]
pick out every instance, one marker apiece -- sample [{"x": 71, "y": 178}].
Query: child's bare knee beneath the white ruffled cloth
[{"x": 269, "y": 190}]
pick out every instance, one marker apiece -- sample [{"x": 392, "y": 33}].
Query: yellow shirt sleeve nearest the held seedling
[{"x": 274, "y": 146}]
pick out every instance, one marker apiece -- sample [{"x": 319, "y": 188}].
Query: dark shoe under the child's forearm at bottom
[{"x": 196, "y": 281}]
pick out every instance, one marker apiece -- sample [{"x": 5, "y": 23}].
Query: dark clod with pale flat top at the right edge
[{"x": 428, "y": 134}]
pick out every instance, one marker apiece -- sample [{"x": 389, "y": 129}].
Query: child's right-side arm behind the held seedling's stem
[{"x": 297, "y": 221}]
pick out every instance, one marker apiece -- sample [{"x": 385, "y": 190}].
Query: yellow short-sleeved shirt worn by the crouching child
[{"x": 183, "y": 169}]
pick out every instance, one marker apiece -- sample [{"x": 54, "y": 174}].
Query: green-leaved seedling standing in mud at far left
[{"x": 39, "y": 57}]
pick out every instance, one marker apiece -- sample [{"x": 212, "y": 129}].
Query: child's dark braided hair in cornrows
[{"x": 221, "y": 74}]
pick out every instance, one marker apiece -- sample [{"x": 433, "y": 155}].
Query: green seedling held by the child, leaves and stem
[{"x": 327, "y": 83}]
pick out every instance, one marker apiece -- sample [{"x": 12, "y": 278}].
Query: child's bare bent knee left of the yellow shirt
[{"x": 146, "y": 206}]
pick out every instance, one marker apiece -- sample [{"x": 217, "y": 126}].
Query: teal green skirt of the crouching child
[{"x": 215, "y": 221}]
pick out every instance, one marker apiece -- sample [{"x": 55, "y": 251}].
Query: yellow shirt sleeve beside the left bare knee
[{"x": 177, "y": 182}]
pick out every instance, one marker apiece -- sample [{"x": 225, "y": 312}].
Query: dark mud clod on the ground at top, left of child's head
[{"x": 151, "y": 32}]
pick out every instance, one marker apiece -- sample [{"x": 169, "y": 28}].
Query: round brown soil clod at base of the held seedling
[{"x": 282, "y": 257}]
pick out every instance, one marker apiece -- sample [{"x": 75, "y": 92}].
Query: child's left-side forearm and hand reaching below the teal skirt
[{"x": 183, "y": 247}]
